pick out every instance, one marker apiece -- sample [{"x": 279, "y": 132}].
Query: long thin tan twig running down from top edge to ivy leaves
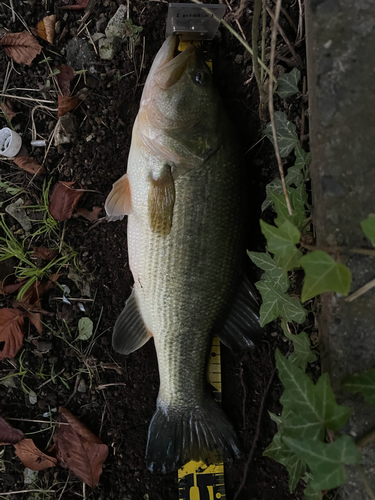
[{"x": 270, "y": 105}]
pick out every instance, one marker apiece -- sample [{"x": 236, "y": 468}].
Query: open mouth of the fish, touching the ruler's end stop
[{"x": 173, "y": 64}]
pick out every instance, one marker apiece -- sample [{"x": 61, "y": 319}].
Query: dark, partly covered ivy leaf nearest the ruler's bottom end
[{"x": 286, "y": 457}]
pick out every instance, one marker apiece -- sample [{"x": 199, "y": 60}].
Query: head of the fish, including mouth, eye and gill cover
[{"x": 179, "y": 106}]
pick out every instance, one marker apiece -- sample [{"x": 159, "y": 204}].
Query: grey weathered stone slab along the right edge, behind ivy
[{"x": 341, "y": 81}]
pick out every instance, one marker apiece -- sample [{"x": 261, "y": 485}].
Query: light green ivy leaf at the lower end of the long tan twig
[{"x": 281, "y": 241}]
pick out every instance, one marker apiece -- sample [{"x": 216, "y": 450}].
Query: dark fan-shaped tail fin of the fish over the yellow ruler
[{"x": 178, "y": 435}]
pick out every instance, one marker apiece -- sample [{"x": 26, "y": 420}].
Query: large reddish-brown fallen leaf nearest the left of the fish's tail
[{"x": 79, "y": 449}]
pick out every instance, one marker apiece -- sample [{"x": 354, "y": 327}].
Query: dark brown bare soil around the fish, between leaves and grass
[{"x": 112, "y": 394}]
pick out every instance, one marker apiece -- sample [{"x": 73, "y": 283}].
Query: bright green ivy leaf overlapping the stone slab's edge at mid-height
[{"x": 323, "y": 274}]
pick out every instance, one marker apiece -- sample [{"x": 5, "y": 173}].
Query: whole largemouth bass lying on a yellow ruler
[{"x": 182, "y": 195}]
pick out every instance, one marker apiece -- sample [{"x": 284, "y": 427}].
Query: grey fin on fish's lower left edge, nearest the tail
[{"x": 130, "y": 332}]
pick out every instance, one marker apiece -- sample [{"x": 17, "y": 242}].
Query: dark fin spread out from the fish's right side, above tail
[{"x": 240, "y": 327}]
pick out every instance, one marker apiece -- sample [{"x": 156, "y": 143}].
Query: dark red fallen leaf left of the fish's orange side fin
[{"x": 64, "y": 200}]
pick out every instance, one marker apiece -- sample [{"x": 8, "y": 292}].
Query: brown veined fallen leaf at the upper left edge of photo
[{"x": 21, "y": 47}]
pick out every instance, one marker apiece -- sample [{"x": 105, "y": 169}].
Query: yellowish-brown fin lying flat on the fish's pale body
[{"x": 161, "y": 200}]
